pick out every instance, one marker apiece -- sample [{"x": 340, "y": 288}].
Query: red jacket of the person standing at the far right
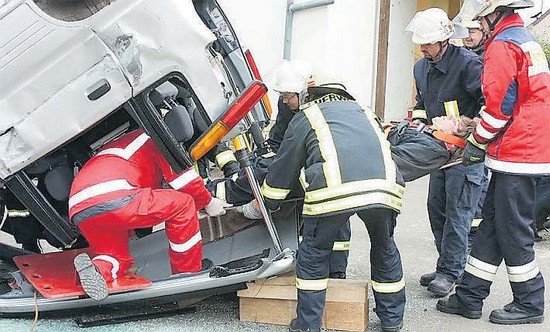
[{"x": 516, "y": 85}]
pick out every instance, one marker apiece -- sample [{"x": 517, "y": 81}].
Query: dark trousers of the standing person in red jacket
[{"x": 505, "y": 234}]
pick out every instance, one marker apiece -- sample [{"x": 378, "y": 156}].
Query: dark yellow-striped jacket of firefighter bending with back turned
[{"x": 341, "y": 157}]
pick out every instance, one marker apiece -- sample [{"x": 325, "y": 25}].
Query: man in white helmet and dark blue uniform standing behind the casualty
[{"x": 448, "y": 82}]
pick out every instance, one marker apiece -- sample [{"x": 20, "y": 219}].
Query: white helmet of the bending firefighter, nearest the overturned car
[{"x": 293, "y": 76}]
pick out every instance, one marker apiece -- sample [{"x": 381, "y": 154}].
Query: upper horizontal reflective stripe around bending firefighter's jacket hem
[{"x": 355, "y": 187}]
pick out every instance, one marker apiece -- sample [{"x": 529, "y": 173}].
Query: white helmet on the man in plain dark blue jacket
[{"x": 430, "y": 26}]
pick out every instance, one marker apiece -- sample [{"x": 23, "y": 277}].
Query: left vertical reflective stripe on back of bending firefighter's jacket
[{"x": 331, "y": 167}]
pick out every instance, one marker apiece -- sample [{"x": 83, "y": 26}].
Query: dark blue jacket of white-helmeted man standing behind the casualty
[{"x": 456, "y": 77}]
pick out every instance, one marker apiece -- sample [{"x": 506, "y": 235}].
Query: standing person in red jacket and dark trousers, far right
[{"x": 509, "y": 139}]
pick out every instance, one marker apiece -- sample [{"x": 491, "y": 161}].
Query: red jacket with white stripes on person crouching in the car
[{"x": 125, "y": 165}]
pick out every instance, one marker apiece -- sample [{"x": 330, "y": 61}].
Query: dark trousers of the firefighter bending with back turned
[{"x": 312, "y": 267}]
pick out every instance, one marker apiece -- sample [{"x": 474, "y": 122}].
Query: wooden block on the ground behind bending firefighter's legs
[{"x": 273, "y": 301}]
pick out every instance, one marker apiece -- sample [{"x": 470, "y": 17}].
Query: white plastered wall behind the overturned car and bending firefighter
[{"x": 339, "y": 40}]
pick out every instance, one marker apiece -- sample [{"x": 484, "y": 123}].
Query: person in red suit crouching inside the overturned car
[{"x": 120, "y": 189}]
